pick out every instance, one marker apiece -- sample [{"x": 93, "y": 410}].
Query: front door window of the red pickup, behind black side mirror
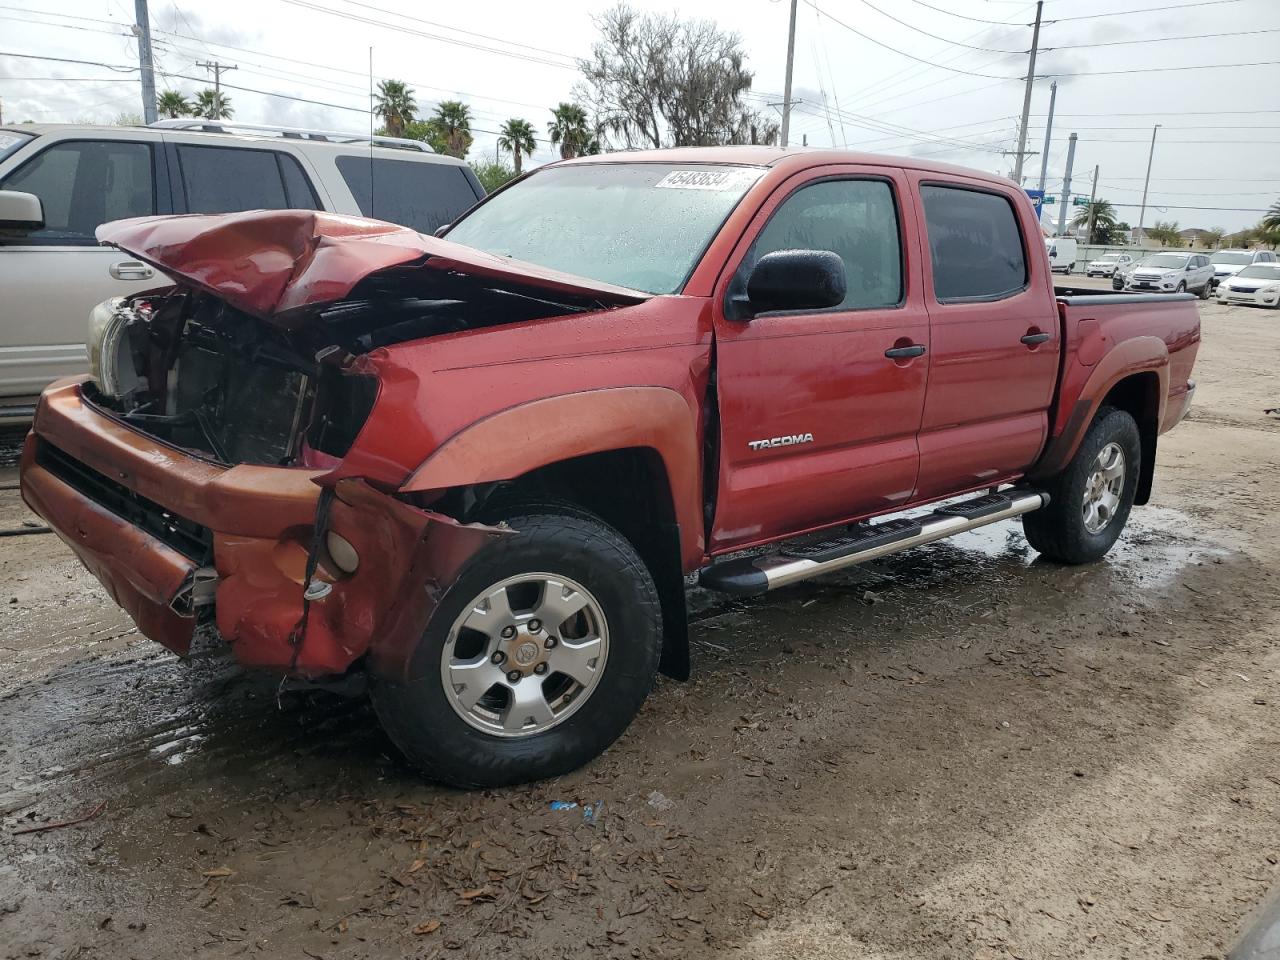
[{"x": 854, "y": 220}]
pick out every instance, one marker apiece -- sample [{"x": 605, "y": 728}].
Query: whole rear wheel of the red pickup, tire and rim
[{"x": 1092, "y": 497}]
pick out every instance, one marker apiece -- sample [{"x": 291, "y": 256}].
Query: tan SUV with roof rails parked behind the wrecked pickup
[{"x": 60, "y": 182}]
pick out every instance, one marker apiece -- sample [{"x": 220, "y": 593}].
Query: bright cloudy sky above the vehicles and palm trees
[{"x": 921, "y": 77}]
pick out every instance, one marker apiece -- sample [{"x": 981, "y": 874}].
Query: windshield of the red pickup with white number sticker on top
[{"x": 638, "y": 226}]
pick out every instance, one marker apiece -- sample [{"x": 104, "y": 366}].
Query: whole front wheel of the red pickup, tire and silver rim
[{"x": 537, "y": 660}]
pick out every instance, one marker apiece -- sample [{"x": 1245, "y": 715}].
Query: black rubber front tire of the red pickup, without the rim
[{"x": 418, "y": 715}]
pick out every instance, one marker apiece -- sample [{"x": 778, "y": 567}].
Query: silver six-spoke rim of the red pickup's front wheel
[{"x": 525, "y": 655}]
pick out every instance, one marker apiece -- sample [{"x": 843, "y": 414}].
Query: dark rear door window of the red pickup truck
[{"x": 975, "y": 244}]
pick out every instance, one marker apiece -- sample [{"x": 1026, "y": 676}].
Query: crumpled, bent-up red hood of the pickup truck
[{"x": 284, "y": 266}]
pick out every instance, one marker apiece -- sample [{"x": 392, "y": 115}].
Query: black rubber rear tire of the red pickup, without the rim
[{"x": 1059, "y": 531}]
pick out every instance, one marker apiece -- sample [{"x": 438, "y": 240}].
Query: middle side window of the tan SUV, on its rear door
[{"x": 230, "y": 180}]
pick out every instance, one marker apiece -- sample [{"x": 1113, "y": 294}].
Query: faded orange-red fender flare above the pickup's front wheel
[{"x": 523, "y": 438}]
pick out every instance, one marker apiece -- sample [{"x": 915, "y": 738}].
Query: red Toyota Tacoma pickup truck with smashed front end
[{"x": 477, "y": 470}]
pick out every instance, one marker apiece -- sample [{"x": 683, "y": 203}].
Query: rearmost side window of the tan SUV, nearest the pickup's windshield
[{"x": 422, "y": 196}]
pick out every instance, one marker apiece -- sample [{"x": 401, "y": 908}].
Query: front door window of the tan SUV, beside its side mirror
[{"x": 84, "y": 185}]
